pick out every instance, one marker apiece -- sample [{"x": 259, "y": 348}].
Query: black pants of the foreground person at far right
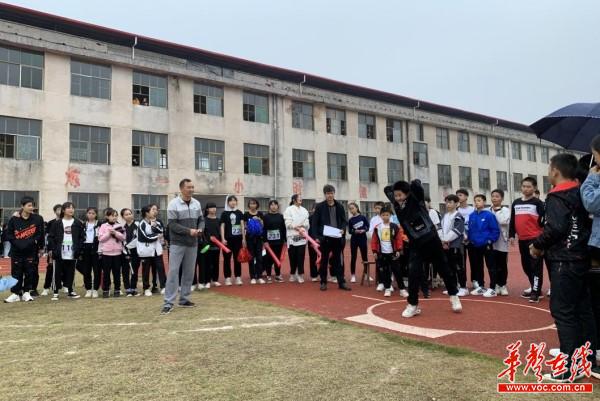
[{"x": 571, "y": 308}]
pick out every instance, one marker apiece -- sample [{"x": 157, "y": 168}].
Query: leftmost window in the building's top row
[{"x": 21, "y": 68}]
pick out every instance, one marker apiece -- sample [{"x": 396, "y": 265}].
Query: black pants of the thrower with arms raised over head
[{"x": 430, "y": 250}]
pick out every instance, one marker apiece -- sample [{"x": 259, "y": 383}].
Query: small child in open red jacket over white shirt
[{"x": 387, "y": 244}]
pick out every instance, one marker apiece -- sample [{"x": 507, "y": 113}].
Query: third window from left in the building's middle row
[{"x": 149, "y": 150}]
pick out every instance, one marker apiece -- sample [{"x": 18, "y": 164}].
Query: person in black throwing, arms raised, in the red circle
[{"x": 425, "y": 244}]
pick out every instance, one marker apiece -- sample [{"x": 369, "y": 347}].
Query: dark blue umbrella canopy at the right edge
[{"x": 572, "y": 127}]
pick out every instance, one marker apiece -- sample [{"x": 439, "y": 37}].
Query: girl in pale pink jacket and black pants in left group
[{"x": 111, "y": 236}]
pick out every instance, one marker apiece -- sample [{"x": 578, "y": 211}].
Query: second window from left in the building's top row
[{"x": 90, "y": 80}]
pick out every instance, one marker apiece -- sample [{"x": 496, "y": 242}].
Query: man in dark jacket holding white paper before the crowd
[{"x": 331, "y": 213}]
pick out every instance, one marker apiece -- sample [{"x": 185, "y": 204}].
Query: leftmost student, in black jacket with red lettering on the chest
[{"x": 26, "y": 235}]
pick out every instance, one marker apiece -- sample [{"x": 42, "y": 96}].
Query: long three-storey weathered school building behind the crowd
[{"x": 103, "y": 117}]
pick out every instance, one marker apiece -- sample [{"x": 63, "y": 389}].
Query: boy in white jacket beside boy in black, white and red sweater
[{"x": 501, "y": 245}]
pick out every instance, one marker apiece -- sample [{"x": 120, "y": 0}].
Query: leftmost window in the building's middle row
[{"x": 20, "y": 138}]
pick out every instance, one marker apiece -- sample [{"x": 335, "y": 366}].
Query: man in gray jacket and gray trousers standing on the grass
[{"x": 186, "y": 224}]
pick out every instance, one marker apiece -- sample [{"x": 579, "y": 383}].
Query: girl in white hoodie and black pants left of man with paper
[{"x": 296, "y": 218}]
